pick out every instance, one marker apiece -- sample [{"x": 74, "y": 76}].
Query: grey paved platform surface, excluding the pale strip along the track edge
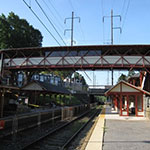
[{"x": 126, "y": 133}]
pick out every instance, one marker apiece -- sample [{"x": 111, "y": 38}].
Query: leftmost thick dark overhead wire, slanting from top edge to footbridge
[{"x": 42, "y": 23}]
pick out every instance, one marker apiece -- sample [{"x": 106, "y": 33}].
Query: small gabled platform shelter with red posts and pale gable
[{"x": 128, "y": 100}]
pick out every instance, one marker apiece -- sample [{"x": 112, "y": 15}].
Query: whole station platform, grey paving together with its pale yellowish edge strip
[{"x": 119, "y": 133}]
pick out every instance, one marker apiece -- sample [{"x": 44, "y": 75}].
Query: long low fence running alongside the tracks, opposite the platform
[{"x": 12, "y": 125}]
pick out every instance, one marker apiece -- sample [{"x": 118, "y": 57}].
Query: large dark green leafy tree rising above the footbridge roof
[{"x": 16, "y": 33}]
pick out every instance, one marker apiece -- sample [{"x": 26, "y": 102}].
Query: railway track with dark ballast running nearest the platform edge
[{"x": 62, "y": 137}]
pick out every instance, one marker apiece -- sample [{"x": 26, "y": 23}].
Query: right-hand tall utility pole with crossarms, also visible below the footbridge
[{"x": 112, "y": 28}]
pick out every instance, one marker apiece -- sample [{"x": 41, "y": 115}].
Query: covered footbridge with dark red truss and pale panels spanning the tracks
[{"x": 77, "y": 57}]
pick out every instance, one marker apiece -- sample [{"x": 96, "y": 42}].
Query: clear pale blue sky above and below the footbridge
[{"x": 91, "y": 30}]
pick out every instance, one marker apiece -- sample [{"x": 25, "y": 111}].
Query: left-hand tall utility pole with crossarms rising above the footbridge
[{"x": 72, "y": 26}]
